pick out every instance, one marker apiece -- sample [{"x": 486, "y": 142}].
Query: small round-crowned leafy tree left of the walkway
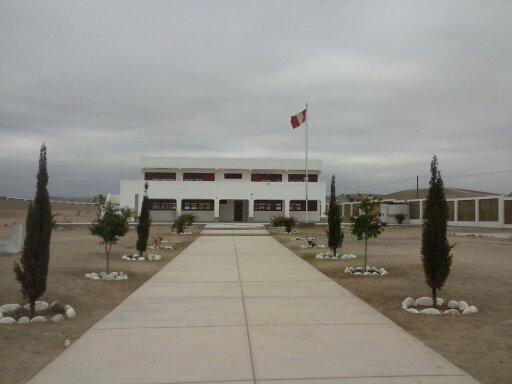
[{"x": 110, "y": 225}]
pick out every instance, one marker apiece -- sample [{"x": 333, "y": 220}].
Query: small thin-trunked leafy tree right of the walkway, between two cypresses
[{"x": 367, "y": 225}]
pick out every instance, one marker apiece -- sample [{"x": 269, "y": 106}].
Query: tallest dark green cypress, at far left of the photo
[{"x": 32, "y": 270}]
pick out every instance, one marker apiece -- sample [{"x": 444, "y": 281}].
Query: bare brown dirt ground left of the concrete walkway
[{"x": 26, "y": 349}]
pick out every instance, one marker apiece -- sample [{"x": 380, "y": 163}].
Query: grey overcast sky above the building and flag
[{"x": 389, "y": 84}]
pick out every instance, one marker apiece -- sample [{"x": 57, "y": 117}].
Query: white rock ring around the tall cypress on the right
[{"x": 454, "y": 307}]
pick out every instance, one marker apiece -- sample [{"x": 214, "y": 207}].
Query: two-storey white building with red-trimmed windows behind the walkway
[{"x": 227, "y": 189}]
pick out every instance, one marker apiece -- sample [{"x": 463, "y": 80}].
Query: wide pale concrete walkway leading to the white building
[{"x": 244, "y": 309}]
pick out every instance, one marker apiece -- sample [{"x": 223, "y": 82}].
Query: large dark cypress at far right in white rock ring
[{"x": 435, "y": 250}]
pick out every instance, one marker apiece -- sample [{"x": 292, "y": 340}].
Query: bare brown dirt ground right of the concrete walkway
[{"x": 481, "y": 344}]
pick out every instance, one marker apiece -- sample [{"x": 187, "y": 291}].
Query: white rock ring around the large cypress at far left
[{"x": 41, "y": 306}]
